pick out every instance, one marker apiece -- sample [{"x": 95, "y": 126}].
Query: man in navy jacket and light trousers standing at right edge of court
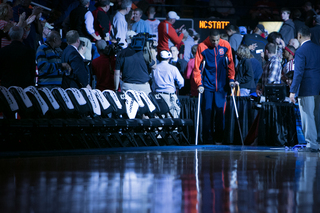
[{"x": 306, "y": 85}]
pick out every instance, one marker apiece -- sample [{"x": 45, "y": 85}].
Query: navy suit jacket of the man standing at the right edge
[{"x": 306, "y": 77}]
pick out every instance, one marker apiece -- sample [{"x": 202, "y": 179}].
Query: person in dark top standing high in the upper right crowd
[{"x": 287, "y": 30}]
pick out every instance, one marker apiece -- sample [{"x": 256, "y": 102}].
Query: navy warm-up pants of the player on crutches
[{"x": 212, "y": 108}]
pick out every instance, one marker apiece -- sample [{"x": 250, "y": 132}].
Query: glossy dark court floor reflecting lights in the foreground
[{"x": 164, "y": 180}]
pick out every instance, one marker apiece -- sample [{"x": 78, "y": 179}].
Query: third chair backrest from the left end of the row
[{"x": 40, "y": 106}]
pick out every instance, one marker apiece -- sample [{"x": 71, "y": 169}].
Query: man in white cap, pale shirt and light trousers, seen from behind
[{"x": 165, "y": 77}]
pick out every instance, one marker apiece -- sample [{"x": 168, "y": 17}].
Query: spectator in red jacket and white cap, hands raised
[{"x": 166, "y": 32}]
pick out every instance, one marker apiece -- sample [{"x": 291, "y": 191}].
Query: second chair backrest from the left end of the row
[{"x": 25, "y": 105}]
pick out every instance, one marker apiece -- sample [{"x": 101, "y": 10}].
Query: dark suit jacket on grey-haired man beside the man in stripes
[{"x": 79, "y": 75}]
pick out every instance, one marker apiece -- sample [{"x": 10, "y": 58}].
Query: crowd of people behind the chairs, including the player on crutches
[{"x": 94, "y": 46}]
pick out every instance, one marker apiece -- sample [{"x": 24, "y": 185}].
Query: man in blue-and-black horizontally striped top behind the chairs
[{"x": 49, "y": 63}]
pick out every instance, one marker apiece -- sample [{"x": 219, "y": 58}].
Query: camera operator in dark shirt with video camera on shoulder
[{"x": 132, "y": 63}]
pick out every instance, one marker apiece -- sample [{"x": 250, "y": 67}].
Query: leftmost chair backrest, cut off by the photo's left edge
[{"x": 8, "y": 105}]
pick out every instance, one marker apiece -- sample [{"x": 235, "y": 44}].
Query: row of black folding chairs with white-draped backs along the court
[{"x": 85, "y": 118}]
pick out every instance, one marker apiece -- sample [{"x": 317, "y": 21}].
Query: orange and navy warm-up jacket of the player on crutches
[{"x": 216, "y": 73}]
